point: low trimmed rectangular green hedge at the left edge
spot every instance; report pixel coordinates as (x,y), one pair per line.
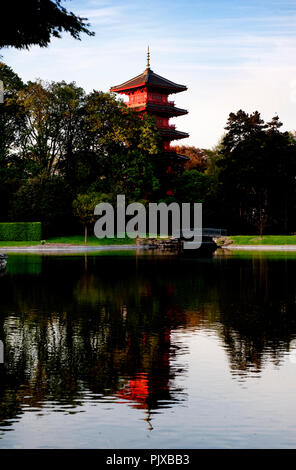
(20,231)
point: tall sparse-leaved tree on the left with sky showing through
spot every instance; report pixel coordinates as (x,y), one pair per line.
(52,122)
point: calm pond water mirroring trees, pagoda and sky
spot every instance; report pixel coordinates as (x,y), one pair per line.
(139,350)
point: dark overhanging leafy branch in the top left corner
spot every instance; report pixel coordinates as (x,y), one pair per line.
(35,22)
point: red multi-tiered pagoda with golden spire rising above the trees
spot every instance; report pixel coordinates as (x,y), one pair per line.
(148,94)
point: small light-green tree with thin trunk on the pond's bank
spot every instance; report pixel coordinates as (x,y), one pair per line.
(83,208)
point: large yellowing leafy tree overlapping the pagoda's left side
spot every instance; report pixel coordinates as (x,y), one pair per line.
(125,146)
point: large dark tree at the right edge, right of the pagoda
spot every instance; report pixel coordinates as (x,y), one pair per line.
(257,170)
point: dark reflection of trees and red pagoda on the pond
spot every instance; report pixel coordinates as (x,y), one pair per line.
(104,327)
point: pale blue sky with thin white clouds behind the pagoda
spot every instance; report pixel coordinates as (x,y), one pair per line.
(231,54)
